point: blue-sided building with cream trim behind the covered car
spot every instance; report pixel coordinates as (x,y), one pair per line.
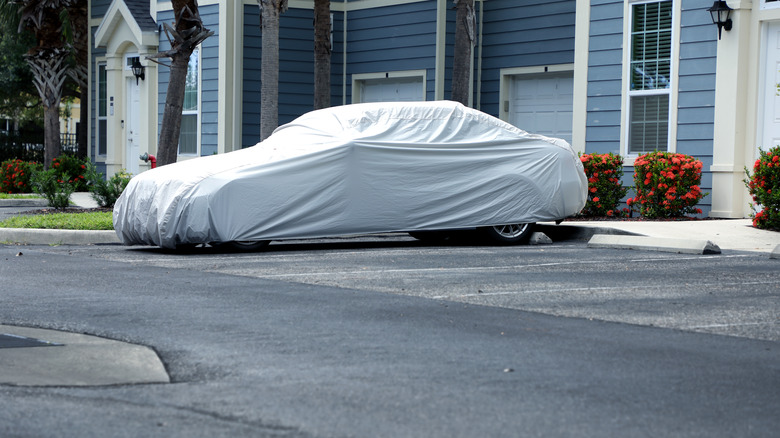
(585,71)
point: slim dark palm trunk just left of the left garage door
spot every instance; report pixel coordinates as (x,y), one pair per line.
(321,54)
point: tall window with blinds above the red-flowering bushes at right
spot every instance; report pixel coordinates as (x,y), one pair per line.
(650,76)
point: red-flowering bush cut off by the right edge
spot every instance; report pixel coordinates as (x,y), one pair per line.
(764,187)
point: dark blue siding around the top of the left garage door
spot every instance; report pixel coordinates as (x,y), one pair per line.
(392,38)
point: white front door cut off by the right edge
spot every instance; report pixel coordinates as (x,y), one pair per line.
(770,90)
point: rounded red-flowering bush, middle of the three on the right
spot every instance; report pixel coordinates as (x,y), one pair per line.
(667,185)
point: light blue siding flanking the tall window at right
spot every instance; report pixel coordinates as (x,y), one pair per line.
(695,83)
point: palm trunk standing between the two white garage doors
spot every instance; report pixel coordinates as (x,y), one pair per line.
(465,38)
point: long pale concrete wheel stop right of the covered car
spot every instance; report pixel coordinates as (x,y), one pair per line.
(681,246)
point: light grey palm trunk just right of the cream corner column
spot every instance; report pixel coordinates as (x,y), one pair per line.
(270,10)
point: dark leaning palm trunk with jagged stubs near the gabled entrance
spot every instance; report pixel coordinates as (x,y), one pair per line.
(184,37)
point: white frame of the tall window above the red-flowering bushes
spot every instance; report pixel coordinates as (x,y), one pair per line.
(629,94)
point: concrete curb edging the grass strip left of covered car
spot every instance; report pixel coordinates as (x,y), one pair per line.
(36,236)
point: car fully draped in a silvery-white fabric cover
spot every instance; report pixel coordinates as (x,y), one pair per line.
(356,169)
